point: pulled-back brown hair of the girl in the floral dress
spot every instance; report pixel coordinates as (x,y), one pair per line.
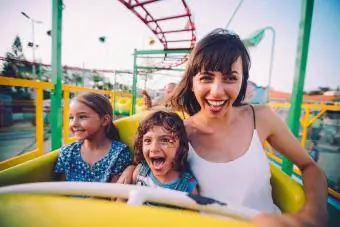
(102,106)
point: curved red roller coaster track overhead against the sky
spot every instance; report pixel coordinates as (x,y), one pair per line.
(174,31)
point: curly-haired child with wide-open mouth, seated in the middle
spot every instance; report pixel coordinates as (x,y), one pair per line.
(161,153)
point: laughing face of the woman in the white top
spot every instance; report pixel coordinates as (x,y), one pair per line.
(216,92)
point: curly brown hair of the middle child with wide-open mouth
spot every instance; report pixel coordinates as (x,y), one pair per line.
(172,123)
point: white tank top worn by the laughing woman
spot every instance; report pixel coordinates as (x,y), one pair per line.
(244,181)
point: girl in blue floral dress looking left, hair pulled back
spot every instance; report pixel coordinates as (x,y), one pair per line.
(98,156)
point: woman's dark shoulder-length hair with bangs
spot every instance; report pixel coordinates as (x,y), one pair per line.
(217,51)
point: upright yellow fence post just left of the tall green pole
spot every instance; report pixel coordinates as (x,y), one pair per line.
(39,120)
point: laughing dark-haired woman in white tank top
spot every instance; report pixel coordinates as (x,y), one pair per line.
(226,137)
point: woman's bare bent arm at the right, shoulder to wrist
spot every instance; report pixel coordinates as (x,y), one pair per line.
(273,129)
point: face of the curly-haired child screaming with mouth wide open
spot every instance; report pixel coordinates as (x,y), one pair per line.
(159,150)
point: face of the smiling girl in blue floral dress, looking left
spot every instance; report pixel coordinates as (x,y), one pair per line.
(85,123)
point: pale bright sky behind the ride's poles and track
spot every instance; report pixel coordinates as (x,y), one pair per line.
(85,20)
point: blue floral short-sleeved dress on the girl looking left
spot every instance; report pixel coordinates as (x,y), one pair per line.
(71,164)
